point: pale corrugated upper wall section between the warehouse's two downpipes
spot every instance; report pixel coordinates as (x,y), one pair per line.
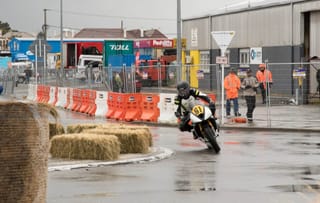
(256,28)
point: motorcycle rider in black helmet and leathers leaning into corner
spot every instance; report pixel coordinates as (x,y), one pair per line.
(184,94)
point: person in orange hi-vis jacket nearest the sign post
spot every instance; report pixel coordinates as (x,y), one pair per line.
(232,85)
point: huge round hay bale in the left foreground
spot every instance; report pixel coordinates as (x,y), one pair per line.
(24,144)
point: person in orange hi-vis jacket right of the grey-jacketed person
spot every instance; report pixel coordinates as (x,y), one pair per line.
(264,77)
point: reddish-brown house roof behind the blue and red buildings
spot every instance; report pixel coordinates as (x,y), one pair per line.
(120,33)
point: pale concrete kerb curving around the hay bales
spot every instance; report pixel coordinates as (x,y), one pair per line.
(156,154)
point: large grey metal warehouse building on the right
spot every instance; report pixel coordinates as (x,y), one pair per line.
(276,32)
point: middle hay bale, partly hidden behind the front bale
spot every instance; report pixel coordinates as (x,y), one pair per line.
(131,141)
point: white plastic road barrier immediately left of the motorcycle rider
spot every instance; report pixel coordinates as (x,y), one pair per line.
(167,109)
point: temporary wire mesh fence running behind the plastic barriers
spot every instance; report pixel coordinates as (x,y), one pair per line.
(294,84)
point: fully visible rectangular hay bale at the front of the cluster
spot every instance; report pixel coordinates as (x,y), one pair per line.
(85,146)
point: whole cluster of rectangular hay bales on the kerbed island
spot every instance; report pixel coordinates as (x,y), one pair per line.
(100,141)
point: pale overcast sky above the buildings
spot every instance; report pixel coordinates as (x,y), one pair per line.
(28,15)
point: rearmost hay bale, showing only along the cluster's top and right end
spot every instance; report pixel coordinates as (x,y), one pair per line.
(130,127)
